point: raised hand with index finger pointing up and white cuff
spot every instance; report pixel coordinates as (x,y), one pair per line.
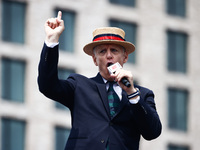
(54,28)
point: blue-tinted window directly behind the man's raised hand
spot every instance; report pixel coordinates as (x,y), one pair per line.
(66,41)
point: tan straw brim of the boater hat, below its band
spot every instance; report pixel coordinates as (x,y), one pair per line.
(129,47)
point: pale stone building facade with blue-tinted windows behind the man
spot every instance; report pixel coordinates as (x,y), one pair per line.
(166,34)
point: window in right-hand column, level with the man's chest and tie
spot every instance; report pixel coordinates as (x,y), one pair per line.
(177,109)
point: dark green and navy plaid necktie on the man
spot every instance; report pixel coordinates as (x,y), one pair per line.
(113,99)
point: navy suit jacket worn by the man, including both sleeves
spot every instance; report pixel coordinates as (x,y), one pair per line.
(92,126)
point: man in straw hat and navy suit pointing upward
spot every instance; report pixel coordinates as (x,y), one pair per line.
(105,113)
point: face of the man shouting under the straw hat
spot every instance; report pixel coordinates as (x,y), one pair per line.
(107,54)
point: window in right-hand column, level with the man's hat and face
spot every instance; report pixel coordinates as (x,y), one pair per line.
(177,51)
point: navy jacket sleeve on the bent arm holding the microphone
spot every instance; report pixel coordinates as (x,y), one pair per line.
(146,116)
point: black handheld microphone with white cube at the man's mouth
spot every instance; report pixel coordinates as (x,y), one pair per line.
(114,67)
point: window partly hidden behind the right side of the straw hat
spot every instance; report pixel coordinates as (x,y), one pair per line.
(130,30)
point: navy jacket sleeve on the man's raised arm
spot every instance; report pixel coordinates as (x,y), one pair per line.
(48,82)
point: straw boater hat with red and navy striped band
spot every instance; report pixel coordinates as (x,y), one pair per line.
(108,35)
